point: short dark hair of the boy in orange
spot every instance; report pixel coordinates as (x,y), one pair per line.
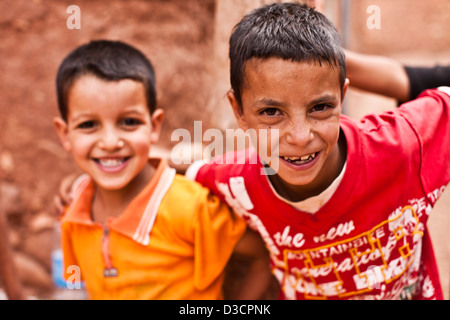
(108,60)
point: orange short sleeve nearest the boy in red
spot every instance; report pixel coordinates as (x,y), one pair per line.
(217,230)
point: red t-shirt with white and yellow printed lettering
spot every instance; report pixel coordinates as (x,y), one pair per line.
(370,240)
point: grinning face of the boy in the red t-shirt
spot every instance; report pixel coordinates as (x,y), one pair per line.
(304,102)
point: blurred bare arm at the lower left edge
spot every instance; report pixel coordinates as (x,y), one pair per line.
(7,270)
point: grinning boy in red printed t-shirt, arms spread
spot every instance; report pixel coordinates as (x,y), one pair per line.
(344,216)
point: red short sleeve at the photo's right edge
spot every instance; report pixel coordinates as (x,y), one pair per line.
(429,116)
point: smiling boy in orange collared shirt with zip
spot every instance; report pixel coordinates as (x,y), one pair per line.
(135,228)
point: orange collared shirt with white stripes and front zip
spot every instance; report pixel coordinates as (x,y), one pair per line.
(173,241)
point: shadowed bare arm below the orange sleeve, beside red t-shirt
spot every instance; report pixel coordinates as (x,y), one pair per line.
(248,275)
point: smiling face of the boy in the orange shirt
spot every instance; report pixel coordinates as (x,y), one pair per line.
(109,130)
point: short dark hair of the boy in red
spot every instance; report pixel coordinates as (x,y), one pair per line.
(289,31)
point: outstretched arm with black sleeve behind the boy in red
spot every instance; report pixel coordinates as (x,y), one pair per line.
(389,77)
